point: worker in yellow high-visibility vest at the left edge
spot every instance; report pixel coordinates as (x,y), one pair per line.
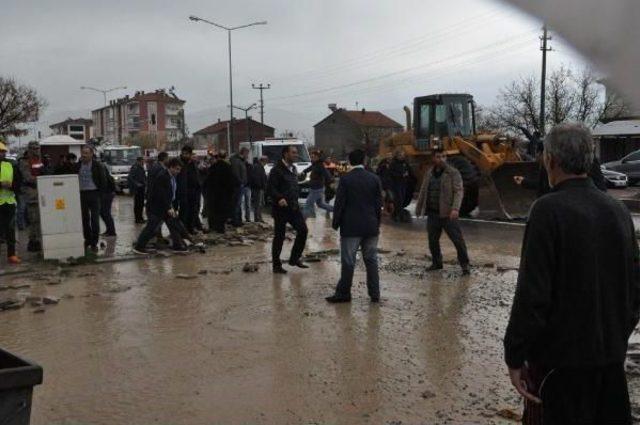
(9,184)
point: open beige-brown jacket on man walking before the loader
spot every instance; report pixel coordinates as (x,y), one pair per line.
(451,192)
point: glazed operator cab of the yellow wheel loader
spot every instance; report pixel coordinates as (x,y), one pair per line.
(442,115)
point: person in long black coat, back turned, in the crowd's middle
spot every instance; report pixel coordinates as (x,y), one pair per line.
(220,191)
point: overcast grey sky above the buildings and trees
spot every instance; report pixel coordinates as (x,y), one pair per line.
(380,54)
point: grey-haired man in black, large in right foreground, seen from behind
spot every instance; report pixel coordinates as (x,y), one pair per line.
(577,300)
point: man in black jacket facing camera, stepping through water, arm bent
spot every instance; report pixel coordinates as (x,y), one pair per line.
(284,192)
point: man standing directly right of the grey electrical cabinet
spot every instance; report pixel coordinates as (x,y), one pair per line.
(92,178)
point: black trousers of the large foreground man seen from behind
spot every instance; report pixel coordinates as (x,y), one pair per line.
(590,395)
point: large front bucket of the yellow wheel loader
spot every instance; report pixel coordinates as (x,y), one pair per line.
(501,198)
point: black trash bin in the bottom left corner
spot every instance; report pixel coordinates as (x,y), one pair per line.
(17,378)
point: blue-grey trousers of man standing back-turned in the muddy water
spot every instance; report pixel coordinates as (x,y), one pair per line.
(348,250)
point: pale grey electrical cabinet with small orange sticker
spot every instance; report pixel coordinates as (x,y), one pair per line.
(60,217)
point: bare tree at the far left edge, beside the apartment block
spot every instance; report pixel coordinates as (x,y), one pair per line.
(18,104)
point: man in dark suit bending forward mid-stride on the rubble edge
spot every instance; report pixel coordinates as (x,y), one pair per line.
(160,208)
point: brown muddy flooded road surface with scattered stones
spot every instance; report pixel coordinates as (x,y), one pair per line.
(195,340)
